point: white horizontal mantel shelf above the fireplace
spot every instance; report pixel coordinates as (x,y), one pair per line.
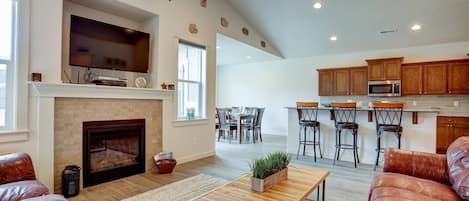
(52,90)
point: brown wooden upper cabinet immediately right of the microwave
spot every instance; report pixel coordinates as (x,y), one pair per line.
(412,81)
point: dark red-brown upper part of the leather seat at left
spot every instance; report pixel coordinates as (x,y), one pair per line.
(16,167)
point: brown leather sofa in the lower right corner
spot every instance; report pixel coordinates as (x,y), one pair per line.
(410,175)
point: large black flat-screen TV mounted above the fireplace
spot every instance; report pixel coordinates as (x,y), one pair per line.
(96,44)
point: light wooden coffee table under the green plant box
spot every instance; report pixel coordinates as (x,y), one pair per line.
(300,183)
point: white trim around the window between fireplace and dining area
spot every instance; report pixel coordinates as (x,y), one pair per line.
(182,121)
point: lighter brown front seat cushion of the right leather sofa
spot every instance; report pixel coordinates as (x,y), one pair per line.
(405,183)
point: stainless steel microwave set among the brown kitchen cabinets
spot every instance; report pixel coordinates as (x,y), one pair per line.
(384,88)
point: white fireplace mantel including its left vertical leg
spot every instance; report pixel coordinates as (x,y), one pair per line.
(42,102)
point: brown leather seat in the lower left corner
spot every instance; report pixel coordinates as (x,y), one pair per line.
(18,181)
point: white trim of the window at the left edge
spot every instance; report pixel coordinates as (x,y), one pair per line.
(20,125)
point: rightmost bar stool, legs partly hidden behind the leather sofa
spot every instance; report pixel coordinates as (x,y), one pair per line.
(388,119)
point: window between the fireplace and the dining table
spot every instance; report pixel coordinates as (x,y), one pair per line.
(191,81)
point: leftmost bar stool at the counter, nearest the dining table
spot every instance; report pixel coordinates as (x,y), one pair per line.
(308,116)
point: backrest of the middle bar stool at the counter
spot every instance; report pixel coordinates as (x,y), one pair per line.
(344,112)
